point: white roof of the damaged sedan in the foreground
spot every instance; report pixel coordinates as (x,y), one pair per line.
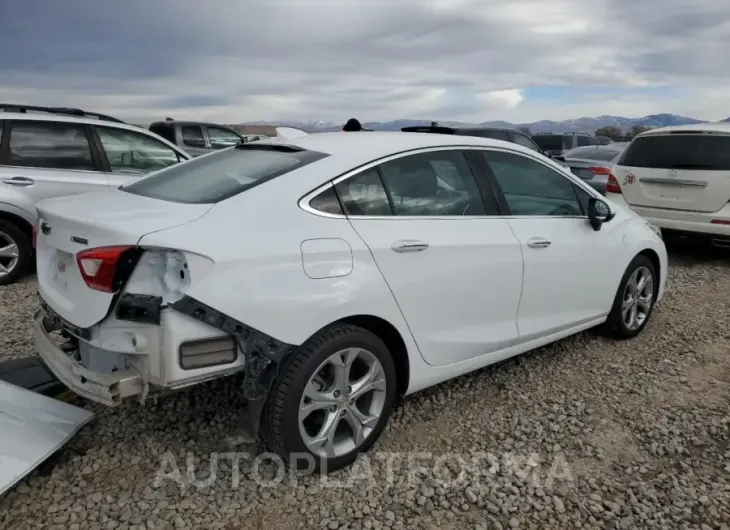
(366,146)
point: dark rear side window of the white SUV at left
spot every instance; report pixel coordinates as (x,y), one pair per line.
(49,145)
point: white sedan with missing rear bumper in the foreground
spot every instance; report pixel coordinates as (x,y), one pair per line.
(337,272)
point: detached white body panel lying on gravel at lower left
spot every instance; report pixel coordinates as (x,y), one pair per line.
(32,428)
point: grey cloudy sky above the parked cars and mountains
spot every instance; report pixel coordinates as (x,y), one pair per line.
(470,60)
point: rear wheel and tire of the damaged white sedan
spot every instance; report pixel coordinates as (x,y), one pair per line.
(332,399)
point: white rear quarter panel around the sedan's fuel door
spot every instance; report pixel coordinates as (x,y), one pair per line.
(255,240)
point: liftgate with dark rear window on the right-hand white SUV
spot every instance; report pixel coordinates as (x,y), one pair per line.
(688,170)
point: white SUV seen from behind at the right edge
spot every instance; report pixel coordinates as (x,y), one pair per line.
(678,178)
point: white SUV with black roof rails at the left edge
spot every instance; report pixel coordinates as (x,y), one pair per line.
(49,152)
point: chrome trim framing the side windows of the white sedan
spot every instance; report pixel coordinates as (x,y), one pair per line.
(304,201)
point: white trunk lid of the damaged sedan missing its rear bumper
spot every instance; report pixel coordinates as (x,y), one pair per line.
(70,225)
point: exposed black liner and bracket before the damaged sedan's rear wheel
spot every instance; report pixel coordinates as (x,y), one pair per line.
(263,353)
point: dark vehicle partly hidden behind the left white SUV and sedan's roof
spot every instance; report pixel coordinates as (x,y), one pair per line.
(197,138)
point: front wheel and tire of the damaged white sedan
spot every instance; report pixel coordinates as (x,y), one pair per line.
(635,299)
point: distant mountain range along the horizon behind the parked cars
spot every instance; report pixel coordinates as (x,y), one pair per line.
(542,126)
